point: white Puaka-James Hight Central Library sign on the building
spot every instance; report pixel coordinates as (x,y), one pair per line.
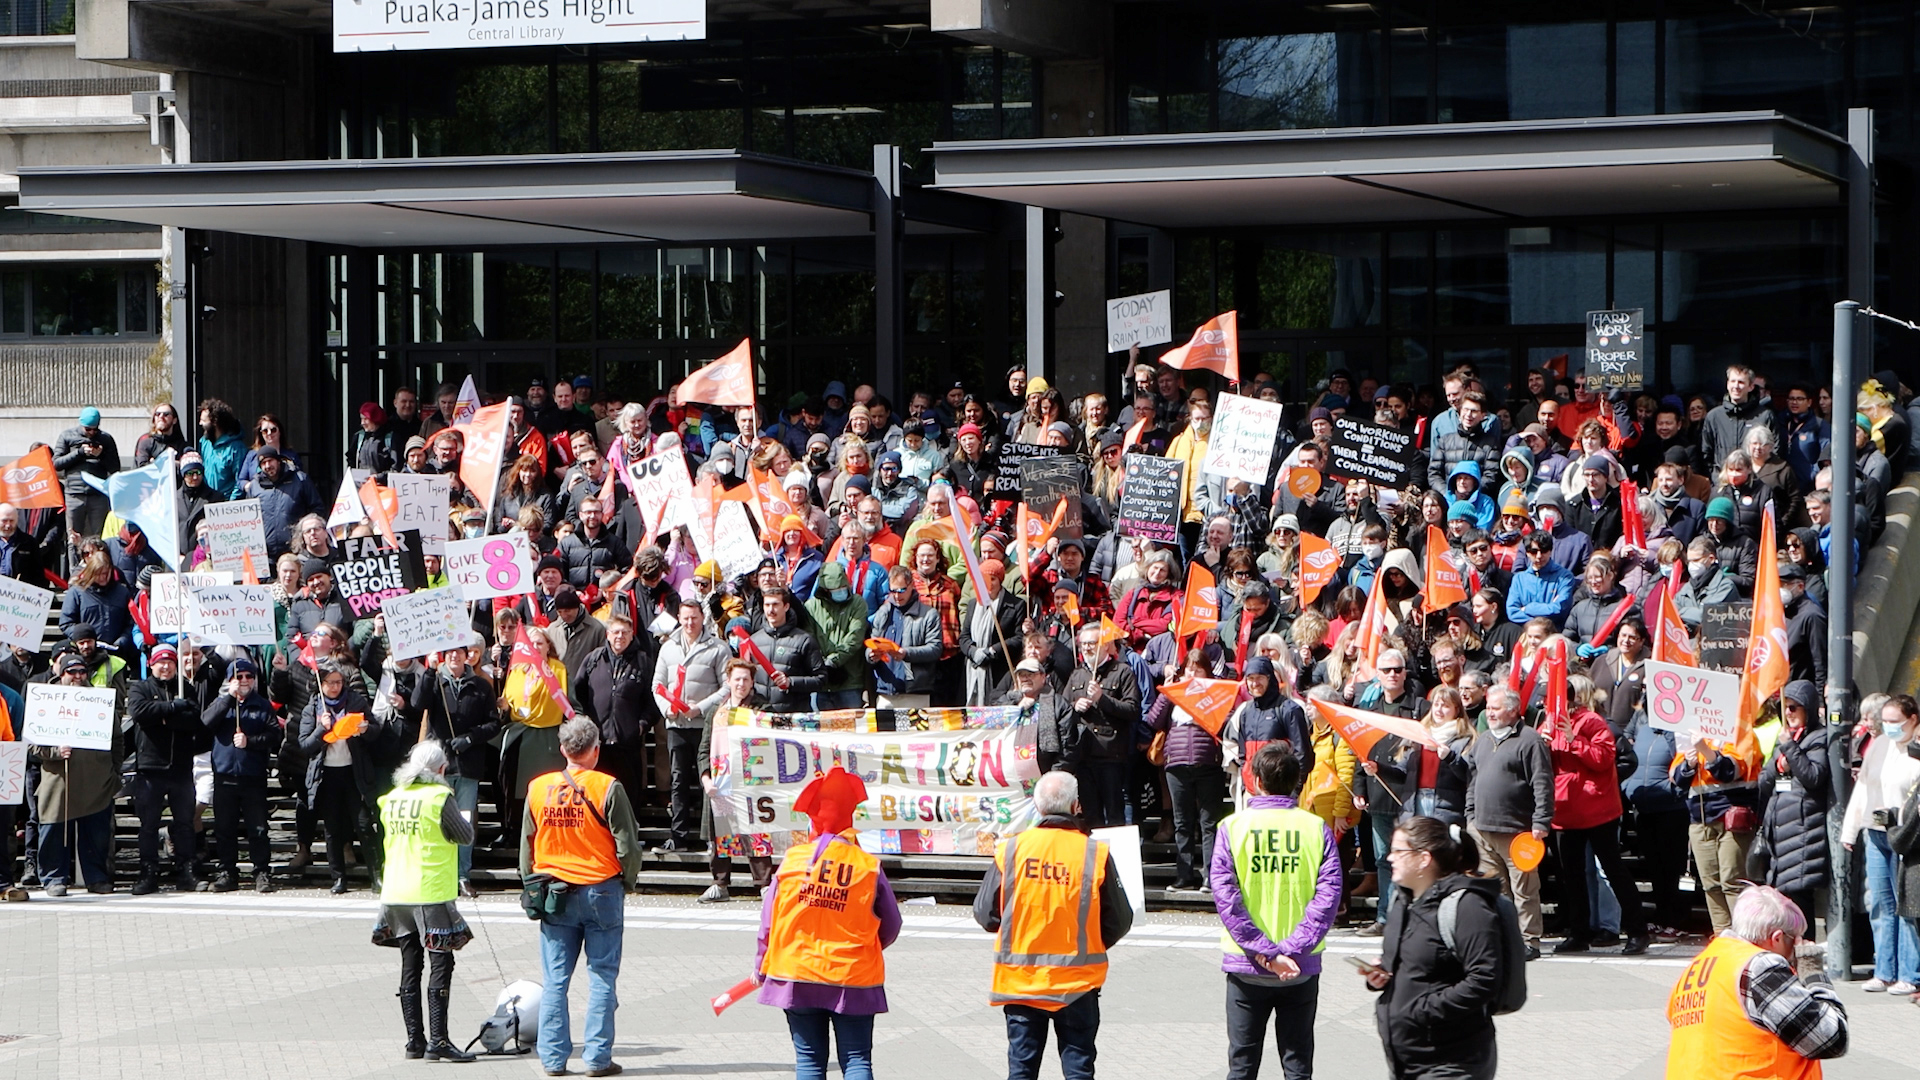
(385,26)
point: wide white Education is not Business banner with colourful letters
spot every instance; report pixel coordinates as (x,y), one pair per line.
(974,783)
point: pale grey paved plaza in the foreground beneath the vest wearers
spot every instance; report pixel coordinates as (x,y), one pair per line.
(287,987)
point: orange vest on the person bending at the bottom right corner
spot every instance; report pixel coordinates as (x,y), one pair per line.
(1714,1037)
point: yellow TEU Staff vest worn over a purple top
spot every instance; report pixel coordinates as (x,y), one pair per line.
(1276,856)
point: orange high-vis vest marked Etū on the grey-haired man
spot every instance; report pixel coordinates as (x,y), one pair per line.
(1049,952)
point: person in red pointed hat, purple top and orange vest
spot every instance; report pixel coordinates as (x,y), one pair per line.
(823,931)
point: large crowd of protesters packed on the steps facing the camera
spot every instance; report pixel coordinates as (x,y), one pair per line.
(650,641)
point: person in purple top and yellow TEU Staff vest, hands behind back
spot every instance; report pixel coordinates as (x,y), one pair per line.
(1276,885)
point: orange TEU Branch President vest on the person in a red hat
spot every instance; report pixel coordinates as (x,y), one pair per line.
(825,929)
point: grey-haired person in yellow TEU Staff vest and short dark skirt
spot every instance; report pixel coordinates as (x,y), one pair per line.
(423,833)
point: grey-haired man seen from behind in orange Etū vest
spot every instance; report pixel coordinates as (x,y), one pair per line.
(1055,902)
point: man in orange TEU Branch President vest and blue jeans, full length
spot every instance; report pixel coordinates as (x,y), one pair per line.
(579,829)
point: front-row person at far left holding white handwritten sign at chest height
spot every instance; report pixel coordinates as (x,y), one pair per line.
(76,800)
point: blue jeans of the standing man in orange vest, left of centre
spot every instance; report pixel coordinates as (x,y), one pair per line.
(594,918)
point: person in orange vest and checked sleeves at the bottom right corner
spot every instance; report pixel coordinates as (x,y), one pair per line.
(1742,1012)
